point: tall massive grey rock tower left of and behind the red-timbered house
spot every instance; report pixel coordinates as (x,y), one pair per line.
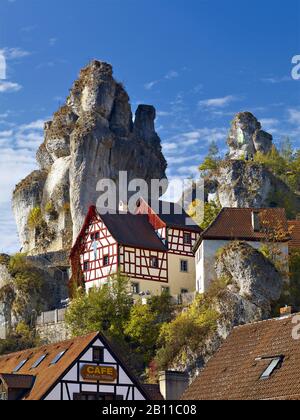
(91,138)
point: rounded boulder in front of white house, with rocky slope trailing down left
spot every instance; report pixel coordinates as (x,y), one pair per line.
(253,286)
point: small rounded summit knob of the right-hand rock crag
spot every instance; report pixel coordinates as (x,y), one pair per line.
(246,137)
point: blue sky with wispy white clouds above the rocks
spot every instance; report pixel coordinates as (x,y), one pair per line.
(197,61)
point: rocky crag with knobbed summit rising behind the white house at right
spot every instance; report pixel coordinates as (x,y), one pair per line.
(241,182)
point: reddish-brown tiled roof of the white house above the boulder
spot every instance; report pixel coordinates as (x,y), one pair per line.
(236,224)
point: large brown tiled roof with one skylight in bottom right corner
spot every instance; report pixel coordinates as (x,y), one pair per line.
(234,373)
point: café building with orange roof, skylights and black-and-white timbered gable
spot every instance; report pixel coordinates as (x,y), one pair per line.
(86,368)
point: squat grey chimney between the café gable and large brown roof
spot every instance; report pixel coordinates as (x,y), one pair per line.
(173,384)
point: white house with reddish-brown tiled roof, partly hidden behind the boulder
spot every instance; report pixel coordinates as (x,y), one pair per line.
(257,227)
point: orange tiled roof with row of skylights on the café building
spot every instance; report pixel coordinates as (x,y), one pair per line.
(45,375)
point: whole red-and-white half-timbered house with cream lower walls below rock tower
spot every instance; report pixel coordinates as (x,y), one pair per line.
(153,248)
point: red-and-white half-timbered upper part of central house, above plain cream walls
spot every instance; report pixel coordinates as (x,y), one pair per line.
(103,251)
